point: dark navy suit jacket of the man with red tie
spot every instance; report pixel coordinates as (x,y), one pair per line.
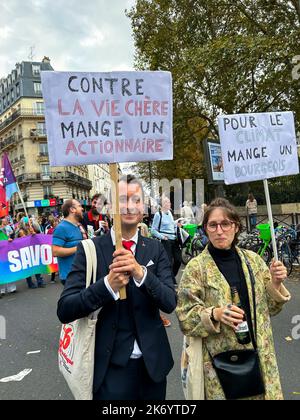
(157,293)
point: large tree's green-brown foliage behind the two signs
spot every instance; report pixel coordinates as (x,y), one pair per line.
(226,56)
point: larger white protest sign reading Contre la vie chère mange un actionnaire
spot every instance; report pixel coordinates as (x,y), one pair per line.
(108,117)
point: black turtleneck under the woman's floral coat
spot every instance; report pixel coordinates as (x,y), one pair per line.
(230,265)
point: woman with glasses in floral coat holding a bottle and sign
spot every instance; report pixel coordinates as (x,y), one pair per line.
(206,308)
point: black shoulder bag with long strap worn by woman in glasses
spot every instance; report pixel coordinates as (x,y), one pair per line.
(239,370)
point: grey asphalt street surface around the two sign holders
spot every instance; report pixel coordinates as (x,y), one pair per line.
(32,325)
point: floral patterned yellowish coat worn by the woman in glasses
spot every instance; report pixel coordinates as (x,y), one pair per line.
(203,287)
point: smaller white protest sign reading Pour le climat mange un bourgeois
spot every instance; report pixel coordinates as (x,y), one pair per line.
(258,146)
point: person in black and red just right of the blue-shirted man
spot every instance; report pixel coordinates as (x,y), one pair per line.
(94,218)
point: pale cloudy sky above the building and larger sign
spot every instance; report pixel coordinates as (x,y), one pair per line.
(77,35)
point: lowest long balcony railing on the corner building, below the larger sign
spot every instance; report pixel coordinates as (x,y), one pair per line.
(55,176)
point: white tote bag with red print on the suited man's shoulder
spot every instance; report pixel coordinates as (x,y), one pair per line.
(77,340)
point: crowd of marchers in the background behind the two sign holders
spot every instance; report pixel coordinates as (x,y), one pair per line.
(74,225)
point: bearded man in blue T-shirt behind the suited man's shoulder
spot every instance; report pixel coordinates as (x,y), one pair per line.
(66,237)
